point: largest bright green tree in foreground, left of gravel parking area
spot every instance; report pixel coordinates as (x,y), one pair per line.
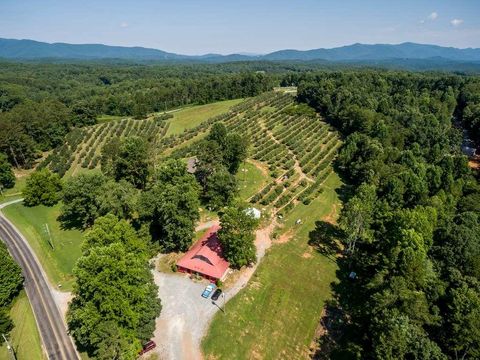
(114,295)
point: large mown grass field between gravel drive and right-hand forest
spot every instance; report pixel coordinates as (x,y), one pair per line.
(276,315)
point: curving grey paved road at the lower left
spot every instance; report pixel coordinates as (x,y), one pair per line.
(57,343)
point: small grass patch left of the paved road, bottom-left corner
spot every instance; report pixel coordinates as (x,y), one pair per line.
(24,337)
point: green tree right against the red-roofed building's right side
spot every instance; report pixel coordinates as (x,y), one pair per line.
(237,236)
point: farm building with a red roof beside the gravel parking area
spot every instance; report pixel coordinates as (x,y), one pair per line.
(205,258)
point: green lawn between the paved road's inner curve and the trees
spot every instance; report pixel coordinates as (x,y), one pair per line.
(59,261)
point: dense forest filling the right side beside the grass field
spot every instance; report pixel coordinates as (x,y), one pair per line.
(410,228)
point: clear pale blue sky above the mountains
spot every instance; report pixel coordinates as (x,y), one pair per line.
(205,26)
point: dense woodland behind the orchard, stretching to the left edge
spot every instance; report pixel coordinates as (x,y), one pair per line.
(40,103)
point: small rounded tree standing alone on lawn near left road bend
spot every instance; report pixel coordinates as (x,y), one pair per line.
(42,188)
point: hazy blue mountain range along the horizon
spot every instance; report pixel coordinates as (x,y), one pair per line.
(34,50)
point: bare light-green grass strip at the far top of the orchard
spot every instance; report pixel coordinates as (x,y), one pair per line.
(194,115)
